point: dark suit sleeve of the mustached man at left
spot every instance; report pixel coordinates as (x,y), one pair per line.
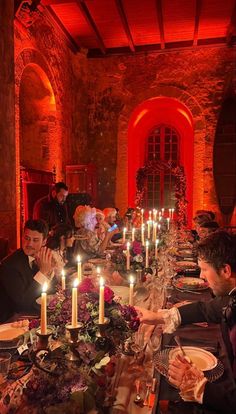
(20,287)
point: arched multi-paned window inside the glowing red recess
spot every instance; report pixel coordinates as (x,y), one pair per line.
(162,144)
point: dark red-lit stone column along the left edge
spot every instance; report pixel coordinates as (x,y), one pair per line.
(7,124)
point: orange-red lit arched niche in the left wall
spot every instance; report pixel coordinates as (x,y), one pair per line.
(39,138)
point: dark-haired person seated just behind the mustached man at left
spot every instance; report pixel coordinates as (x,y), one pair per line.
(61,241)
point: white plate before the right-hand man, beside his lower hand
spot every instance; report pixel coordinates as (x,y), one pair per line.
(203,359)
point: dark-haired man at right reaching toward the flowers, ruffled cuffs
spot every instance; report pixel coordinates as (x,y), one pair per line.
(217,261)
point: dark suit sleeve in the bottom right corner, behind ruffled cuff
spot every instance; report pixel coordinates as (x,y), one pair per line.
(220,397)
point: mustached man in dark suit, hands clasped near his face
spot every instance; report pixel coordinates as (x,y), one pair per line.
(23,273)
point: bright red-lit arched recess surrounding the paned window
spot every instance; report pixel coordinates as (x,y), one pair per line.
(168,113)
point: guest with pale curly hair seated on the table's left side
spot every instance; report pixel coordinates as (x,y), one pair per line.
(85,221)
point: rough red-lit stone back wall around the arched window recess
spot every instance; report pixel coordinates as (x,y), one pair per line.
(198,78)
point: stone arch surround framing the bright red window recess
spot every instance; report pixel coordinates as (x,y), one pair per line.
(199,130)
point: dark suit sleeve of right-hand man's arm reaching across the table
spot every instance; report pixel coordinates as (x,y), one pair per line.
(203,311)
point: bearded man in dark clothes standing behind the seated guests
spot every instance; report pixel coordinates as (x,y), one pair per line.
(53,208)
